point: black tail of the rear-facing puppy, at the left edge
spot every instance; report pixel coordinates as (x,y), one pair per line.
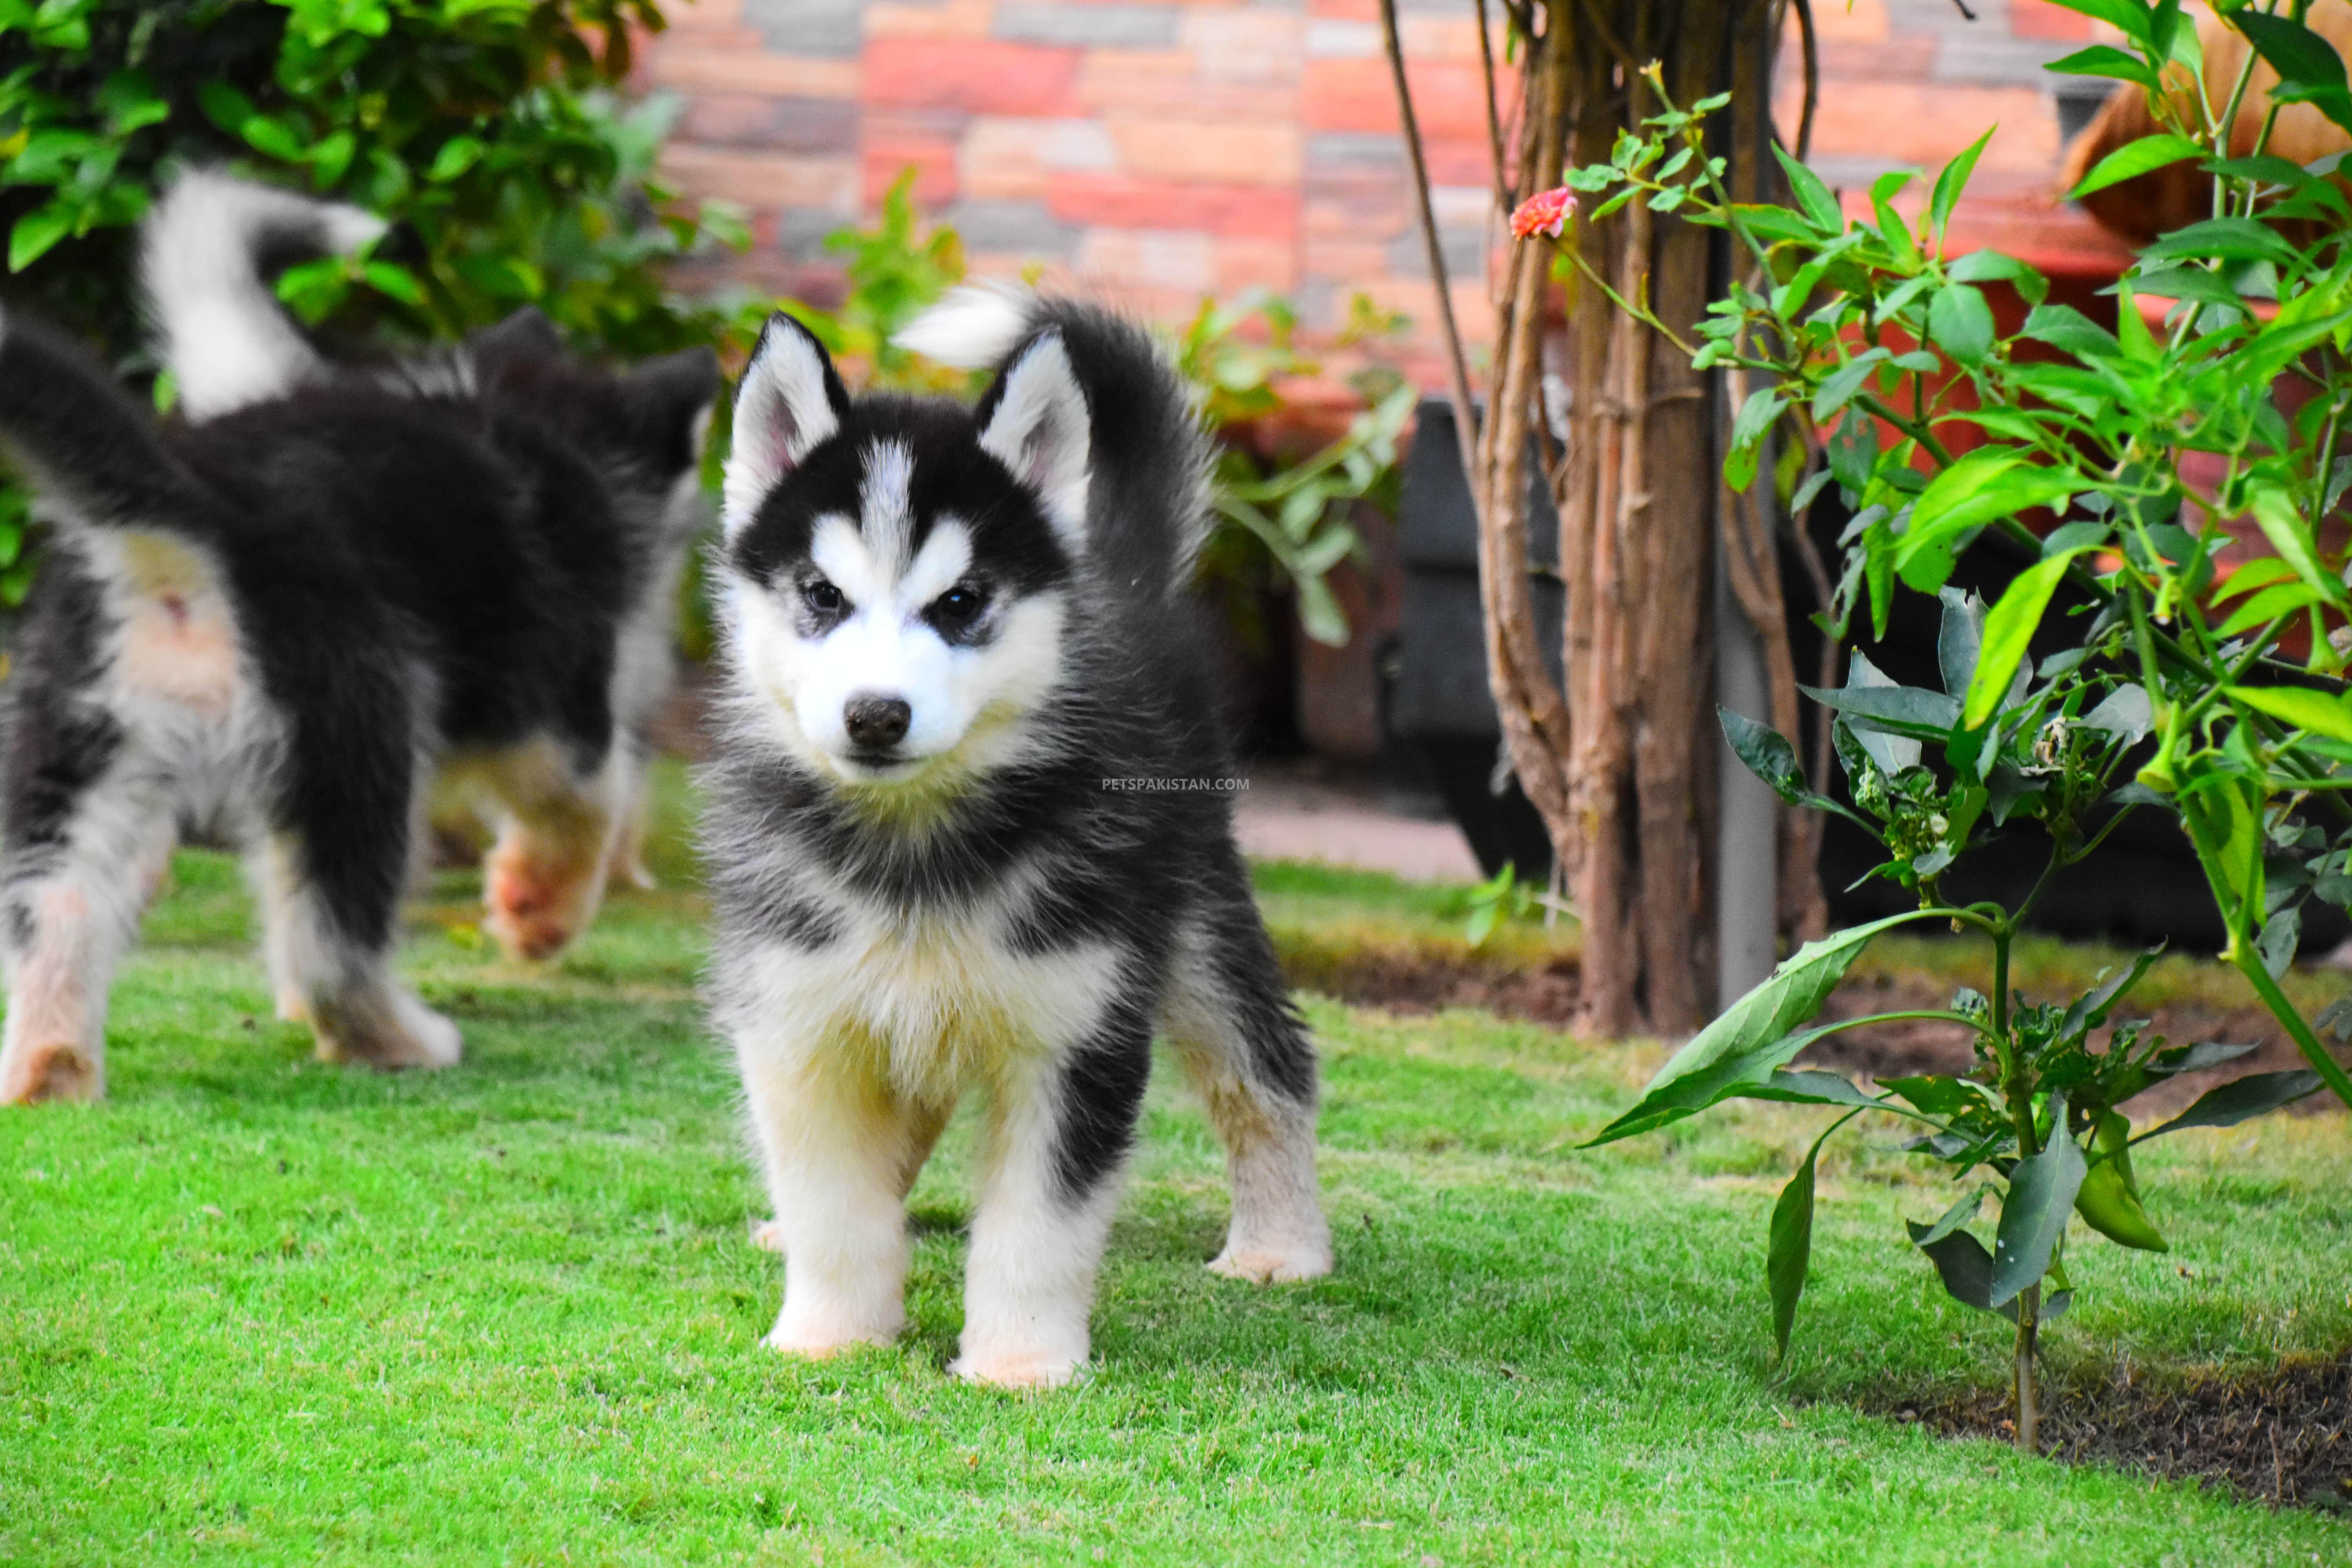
(93,455)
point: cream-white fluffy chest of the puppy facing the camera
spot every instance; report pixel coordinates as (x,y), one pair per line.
(933,1000)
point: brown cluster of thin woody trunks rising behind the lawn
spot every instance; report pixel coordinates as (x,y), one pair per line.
(1619,756)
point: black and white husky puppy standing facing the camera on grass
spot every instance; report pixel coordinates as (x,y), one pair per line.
(958,831)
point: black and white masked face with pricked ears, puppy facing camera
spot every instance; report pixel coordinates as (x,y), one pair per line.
(900,570)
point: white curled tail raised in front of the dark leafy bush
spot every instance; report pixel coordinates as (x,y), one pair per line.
(203,255)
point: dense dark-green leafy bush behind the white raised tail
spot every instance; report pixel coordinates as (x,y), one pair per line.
(486,130)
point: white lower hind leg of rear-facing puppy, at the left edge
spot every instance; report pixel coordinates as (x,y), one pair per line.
(76,885)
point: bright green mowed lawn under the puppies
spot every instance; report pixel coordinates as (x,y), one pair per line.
(265,1311)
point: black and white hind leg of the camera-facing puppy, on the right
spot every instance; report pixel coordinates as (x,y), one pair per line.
(1248,1054)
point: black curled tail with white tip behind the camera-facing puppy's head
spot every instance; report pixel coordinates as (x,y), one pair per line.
(1149,488)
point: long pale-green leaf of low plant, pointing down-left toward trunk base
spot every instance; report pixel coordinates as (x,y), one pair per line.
(1753,1036)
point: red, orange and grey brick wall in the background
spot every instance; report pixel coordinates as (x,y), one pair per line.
(1158,152)
